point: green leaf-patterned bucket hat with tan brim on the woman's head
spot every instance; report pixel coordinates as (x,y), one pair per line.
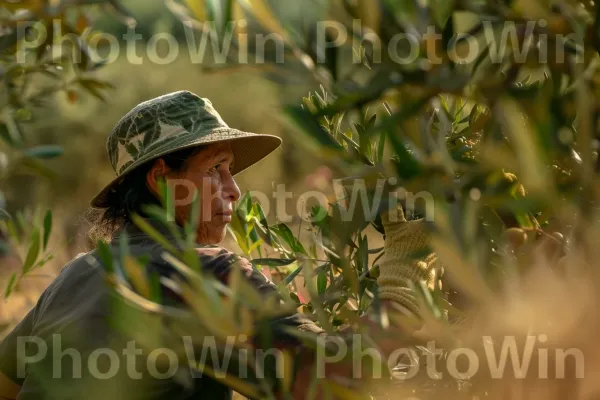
(173,122)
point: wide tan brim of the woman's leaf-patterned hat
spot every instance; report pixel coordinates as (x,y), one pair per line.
(248,149)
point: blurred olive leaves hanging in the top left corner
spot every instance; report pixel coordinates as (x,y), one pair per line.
(29,54)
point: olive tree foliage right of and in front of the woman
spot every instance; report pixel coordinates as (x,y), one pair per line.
(506,146)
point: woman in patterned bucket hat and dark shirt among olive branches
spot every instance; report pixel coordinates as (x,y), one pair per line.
(178,137)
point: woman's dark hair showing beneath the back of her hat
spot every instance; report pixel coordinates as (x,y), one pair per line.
(130,196)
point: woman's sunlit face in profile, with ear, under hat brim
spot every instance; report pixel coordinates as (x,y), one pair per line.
(209,171)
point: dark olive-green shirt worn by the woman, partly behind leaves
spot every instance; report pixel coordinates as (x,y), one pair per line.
(67,347)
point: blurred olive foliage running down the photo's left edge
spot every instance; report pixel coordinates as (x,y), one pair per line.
(31,75)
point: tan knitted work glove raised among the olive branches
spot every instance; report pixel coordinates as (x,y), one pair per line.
(403,240)
